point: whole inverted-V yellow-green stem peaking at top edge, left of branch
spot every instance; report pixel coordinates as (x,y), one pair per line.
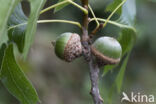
(63,2)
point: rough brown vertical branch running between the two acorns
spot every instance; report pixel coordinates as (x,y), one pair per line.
(94,70)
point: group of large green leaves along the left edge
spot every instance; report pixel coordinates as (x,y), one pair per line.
(11,75)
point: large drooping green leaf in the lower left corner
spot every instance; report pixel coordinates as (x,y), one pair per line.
(14,79)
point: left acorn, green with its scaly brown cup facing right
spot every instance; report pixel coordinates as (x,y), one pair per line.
(68,46)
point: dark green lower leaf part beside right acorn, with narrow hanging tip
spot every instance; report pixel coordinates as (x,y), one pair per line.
(127,39)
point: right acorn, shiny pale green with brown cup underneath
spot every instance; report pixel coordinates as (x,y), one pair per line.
(107,51)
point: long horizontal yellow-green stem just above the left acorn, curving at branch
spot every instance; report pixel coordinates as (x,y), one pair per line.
(50,21)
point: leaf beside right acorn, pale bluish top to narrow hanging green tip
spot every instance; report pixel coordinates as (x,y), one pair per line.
(127,37)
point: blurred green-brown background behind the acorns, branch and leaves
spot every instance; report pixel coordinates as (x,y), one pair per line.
(58,82)
